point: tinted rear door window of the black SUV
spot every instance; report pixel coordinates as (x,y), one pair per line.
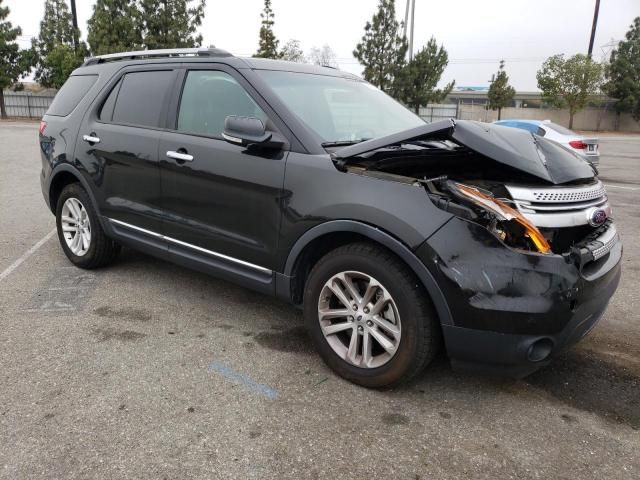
(142,98)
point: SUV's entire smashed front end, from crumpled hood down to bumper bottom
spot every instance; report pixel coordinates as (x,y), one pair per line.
(530,257)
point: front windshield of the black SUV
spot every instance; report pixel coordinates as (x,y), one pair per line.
(340,109)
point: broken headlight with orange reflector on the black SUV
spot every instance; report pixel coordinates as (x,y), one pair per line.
(505,222)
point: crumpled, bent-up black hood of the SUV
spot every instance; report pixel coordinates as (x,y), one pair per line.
(514,147)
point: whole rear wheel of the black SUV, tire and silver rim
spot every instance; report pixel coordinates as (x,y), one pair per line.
(79,230)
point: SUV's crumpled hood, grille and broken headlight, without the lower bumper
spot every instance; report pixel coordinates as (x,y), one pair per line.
(531,193)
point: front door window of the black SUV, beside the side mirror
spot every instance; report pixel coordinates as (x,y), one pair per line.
(208,97)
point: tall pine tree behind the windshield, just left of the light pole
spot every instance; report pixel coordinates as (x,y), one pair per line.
(382,50)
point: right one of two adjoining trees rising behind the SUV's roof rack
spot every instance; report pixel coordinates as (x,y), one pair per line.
(171,23)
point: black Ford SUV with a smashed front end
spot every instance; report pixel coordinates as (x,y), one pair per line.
(307,183)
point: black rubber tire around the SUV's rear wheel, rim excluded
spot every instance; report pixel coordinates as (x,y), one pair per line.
(102,250)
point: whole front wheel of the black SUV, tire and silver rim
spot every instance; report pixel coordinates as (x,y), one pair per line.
(369,317)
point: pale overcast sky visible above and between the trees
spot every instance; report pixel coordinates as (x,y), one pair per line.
(475,33)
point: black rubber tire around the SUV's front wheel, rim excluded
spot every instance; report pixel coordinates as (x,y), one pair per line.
(420,330)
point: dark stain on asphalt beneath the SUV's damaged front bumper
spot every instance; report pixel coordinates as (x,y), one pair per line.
(588,383)
